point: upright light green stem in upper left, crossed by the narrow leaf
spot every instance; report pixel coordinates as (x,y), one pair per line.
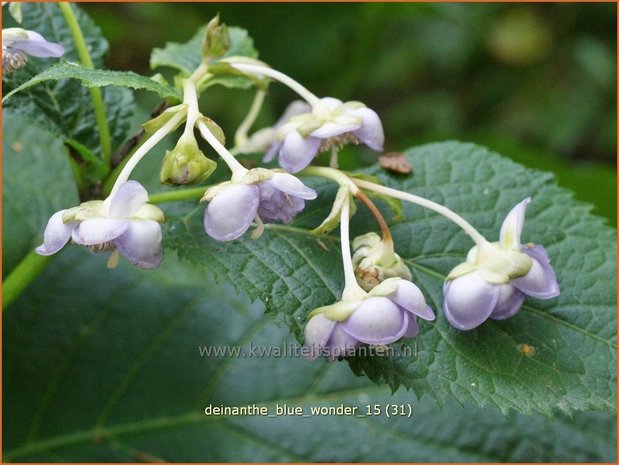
(95,93)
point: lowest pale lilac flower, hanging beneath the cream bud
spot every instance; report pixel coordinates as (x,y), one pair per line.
(388,313)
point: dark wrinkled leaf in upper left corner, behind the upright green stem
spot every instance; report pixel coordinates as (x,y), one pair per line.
(65,107)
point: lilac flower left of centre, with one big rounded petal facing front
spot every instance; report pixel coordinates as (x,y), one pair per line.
(235,206)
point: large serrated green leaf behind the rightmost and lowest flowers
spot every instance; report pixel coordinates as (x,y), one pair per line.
(573,335)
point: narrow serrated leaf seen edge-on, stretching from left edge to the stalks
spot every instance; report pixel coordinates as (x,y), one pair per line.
(97,78)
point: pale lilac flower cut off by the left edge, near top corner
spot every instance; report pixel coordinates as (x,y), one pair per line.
(18,43)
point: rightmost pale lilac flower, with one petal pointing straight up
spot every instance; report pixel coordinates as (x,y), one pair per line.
(494,287)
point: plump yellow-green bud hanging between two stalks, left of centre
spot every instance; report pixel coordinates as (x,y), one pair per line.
(185,164)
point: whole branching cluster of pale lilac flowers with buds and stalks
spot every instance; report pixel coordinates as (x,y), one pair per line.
(379,304)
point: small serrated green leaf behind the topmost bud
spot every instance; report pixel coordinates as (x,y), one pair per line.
(186,57)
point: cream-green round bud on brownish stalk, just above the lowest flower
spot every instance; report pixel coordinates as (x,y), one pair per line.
(375,261)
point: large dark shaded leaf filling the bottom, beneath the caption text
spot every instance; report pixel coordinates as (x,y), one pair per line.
(104,365)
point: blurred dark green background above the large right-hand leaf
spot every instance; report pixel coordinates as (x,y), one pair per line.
(535,82)
